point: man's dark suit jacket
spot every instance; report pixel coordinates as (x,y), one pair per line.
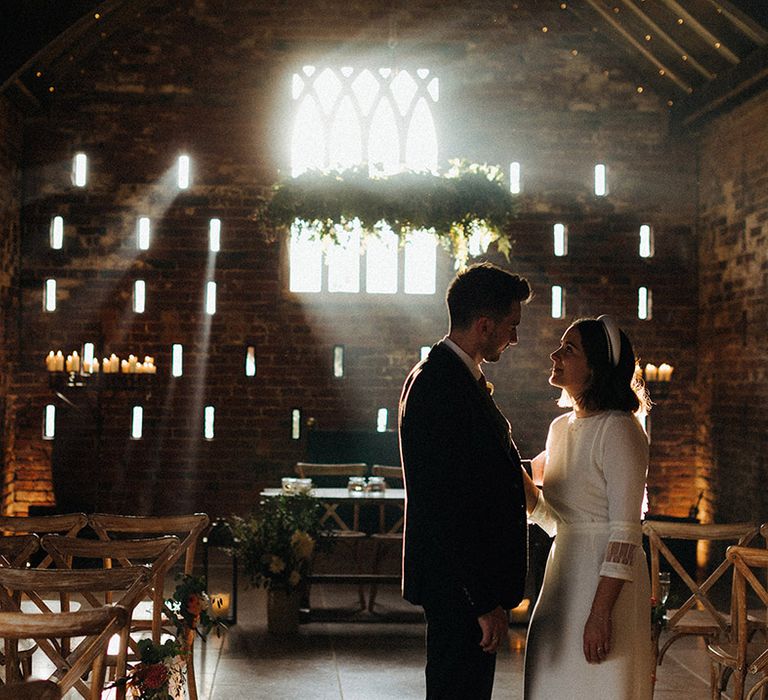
(465,509)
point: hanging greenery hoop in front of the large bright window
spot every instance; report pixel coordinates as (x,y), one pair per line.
(467,209)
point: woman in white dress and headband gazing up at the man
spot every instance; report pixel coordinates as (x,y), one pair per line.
(589,635)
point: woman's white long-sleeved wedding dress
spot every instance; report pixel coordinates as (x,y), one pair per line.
(593,488)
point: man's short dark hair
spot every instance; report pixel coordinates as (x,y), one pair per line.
(484,290)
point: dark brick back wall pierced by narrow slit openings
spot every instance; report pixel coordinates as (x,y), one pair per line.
(214,80)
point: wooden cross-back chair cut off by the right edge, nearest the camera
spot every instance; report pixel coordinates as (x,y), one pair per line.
(742,652)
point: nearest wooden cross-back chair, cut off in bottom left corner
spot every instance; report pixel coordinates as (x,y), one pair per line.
(96,627)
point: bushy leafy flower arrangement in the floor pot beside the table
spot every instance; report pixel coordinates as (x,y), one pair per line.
(277,541)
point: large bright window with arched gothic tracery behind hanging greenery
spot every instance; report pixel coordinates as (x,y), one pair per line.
(349,117)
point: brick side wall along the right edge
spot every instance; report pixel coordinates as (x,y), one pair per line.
(732,378)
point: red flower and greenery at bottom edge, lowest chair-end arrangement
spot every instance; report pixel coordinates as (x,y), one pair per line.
(160,673)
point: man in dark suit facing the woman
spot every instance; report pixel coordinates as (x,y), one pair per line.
(465,545)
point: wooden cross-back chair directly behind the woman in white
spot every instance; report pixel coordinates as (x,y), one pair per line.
(697,615)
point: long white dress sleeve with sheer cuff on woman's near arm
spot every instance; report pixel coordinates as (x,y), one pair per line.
(624,462)
